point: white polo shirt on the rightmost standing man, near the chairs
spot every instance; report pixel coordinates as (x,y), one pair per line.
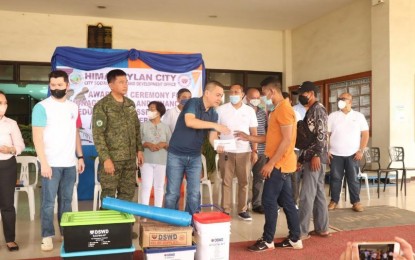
(345,132)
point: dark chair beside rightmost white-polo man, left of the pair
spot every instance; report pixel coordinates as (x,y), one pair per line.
(372,166)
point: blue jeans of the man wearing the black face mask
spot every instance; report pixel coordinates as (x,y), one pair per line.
(61,184)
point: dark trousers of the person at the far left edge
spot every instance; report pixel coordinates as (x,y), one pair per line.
(8,176)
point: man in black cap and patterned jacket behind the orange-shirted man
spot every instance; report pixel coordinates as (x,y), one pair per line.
(313,159)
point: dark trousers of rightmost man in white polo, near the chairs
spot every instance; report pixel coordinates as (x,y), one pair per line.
(341,165)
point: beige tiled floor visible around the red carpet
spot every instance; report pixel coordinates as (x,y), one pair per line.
(28,232)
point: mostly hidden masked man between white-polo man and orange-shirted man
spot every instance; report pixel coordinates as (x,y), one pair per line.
(253,98)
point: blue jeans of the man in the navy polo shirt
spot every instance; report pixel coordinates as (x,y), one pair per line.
(177,167)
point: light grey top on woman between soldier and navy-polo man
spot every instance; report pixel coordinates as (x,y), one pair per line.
(155,134)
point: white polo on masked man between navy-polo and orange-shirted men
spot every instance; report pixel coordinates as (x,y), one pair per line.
(240,119)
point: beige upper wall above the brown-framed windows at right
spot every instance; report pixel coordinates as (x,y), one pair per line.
(334,45)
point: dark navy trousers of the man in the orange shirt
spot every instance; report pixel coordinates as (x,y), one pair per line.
(277,191)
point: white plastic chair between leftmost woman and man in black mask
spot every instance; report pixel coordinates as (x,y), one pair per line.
(28,187)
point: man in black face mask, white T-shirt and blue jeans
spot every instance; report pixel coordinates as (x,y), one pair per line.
(56,123)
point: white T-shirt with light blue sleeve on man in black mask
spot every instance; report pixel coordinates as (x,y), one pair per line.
(60,121)
